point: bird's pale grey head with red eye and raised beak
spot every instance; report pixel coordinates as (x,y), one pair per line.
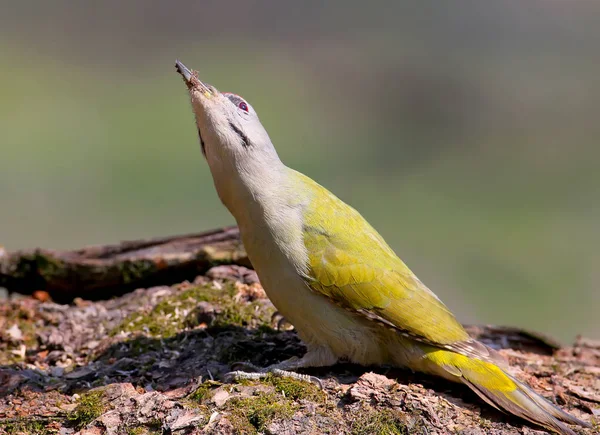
(228,126)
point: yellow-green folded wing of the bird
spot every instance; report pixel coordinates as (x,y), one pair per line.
(350,263)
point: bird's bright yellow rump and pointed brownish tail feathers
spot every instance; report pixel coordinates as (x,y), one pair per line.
(501,390)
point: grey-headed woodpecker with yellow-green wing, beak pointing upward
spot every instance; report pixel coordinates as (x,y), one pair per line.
(330,273)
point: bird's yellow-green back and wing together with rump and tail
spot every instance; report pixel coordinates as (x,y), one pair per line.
(350,263)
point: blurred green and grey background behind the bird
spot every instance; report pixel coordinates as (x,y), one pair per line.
(466,132)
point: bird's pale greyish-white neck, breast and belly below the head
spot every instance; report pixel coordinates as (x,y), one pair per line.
(268,209)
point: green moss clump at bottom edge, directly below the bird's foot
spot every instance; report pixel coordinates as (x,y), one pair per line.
(252,415)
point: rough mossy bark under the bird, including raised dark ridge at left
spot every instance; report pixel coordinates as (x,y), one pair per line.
(154,360)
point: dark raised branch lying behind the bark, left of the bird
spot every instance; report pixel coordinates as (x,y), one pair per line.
(104,271)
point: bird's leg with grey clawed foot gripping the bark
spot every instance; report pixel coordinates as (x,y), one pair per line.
(314,357)
